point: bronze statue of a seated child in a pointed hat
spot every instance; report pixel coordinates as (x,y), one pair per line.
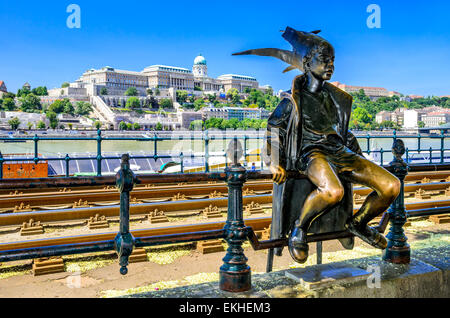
(308,132)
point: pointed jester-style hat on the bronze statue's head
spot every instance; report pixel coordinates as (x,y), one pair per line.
(302,43)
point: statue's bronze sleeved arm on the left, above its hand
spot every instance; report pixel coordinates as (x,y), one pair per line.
(274,153)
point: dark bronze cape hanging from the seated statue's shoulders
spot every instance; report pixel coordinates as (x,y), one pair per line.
(288,197)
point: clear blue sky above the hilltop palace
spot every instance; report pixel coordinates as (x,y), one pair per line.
(410,53)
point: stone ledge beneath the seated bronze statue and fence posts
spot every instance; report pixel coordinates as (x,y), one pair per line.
(426,276)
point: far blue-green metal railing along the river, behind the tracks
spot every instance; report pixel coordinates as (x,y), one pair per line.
(206,139)
